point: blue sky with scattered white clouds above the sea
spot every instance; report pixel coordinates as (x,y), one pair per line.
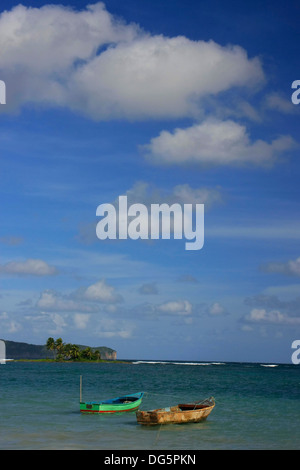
(185,102)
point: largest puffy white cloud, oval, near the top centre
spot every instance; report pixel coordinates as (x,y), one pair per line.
(155,76)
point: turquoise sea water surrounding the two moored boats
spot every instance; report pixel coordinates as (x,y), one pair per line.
(257,407)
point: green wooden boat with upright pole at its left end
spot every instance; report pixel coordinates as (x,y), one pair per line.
(113,405)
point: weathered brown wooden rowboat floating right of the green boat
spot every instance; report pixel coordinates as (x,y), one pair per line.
(181,413)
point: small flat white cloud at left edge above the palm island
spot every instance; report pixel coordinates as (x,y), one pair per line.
(32,267)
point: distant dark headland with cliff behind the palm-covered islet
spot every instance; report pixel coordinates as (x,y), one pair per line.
(16,350)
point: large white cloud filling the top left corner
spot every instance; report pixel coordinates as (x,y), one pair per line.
(66,35)
